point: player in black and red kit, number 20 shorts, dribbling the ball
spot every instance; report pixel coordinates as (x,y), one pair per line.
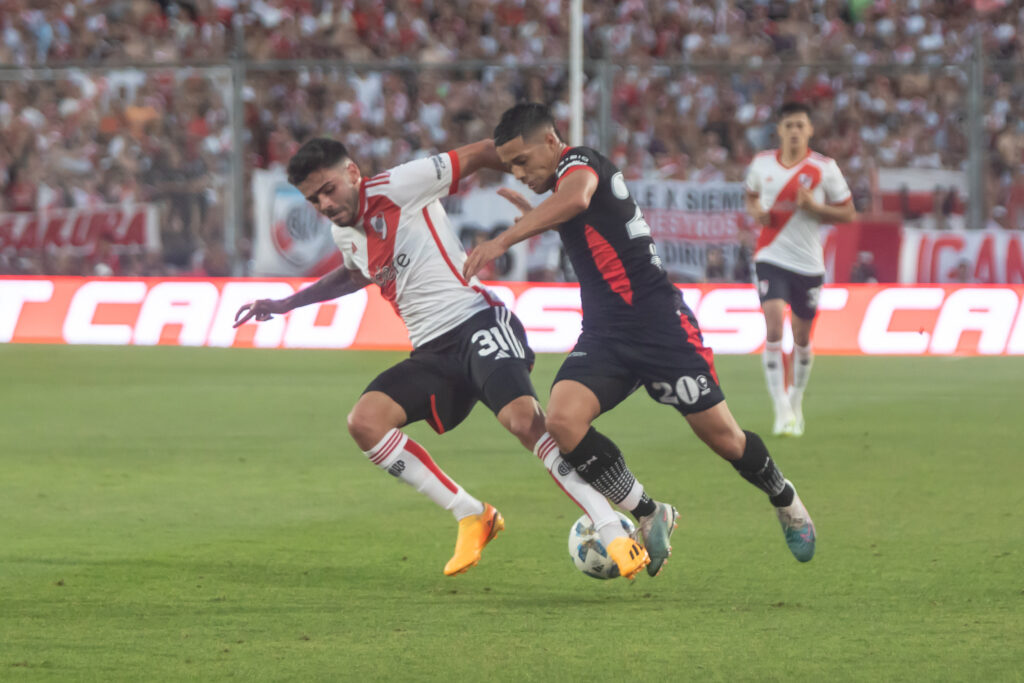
(636,329)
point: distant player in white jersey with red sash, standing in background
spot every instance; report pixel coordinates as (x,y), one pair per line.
(791,192)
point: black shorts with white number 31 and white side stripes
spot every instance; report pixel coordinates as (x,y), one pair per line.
(485,359)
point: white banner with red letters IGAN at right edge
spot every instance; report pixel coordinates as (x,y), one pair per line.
(963,257)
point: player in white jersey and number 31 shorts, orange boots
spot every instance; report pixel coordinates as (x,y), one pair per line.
(394,232)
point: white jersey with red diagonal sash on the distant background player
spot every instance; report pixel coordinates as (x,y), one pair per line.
(791,240)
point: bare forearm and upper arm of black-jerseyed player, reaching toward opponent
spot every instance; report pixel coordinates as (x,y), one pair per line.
(573,198)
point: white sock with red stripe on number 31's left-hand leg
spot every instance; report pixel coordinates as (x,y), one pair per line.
(402,457)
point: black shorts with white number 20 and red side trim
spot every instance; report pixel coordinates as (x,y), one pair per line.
(670,361)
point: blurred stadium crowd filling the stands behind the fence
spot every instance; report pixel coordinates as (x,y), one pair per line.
(695,84)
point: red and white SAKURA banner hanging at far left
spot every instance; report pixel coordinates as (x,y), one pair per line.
(130,226)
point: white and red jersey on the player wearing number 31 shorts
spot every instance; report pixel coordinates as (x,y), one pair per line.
(404,242)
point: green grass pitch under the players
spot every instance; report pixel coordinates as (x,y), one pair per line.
(198,515)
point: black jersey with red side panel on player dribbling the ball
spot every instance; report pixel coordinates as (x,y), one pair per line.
(622,283)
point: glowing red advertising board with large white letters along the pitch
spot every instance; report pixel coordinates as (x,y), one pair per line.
(941,320)
